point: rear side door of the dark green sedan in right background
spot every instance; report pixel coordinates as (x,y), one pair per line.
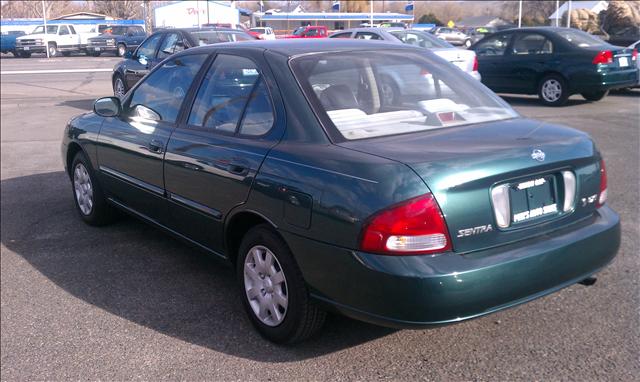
(530,55)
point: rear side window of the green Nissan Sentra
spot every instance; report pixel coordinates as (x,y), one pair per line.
(232,87)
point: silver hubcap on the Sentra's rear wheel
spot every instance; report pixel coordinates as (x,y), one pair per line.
(265,286)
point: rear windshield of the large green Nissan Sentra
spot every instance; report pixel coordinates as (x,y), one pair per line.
(366,94)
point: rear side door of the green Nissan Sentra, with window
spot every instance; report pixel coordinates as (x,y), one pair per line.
(213,158)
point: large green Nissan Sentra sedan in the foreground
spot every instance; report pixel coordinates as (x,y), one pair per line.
(288,161)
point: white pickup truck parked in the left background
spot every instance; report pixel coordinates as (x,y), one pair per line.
(59,39)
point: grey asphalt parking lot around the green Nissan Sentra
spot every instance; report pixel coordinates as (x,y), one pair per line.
(128,302)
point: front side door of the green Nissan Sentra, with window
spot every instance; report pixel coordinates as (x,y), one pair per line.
(131,146)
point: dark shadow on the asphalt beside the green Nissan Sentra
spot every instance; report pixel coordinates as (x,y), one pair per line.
(140,274)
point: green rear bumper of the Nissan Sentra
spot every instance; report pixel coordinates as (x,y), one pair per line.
(419,291)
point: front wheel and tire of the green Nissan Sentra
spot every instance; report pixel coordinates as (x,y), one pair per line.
(91,204)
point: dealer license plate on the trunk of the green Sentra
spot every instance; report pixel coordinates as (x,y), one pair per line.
(533,200)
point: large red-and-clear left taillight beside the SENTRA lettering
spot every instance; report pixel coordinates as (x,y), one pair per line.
(410,228)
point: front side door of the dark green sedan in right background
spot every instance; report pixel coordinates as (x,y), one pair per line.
(491,61)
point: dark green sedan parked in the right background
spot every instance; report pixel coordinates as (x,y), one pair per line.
(554,63)
